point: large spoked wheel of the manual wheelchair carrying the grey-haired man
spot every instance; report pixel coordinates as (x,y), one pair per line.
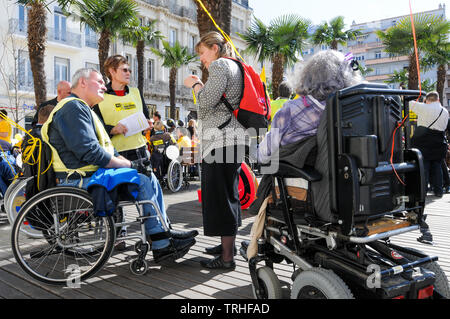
(75,243)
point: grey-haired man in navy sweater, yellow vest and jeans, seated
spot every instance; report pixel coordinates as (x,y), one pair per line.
(80,145)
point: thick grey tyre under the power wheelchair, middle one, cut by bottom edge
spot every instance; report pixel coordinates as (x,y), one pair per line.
(319,283)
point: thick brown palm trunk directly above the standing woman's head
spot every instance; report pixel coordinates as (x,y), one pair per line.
(220,10)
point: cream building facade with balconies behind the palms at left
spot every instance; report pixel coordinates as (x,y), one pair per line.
(71,46)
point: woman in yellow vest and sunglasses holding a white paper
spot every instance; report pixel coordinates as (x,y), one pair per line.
(120,102)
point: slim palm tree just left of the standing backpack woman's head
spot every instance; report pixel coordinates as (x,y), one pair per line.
(174,57)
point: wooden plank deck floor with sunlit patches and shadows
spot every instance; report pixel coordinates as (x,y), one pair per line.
(185,278)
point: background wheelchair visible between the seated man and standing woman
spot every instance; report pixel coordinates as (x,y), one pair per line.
(166,167)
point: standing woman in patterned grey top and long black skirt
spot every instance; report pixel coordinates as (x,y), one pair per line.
(222,149)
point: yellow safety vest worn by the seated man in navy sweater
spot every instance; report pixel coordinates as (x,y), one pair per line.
(103,138)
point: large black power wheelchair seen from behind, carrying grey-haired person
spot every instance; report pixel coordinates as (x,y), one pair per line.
(365,187)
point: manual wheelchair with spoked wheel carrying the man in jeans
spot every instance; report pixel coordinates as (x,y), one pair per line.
(69,243)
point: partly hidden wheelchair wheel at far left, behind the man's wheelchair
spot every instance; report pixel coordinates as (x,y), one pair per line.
(14,199)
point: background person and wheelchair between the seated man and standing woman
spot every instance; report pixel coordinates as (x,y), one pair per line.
(166,168)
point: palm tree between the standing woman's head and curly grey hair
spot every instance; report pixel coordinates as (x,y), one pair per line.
(280,42)
